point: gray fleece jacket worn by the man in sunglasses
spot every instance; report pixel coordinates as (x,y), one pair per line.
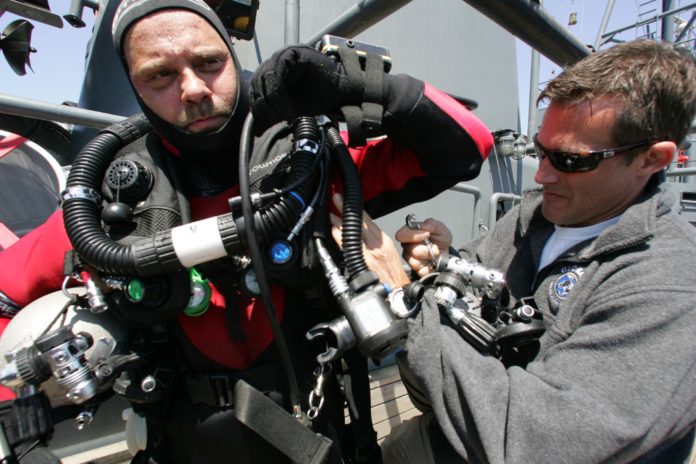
(615,378)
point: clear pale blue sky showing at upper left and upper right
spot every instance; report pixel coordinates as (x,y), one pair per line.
(58,70)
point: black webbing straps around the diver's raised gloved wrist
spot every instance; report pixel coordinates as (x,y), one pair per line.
(366,86)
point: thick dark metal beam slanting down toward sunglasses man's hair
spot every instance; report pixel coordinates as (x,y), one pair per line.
(531,23)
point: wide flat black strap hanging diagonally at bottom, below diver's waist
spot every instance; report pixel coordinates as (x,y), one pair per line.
(271,422)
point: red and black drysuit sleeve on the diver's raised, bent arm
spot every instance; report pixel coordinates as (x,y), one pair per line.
(432,143)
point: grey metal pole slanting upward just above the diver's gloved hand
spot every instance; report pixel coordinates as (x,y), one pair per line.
(358,18)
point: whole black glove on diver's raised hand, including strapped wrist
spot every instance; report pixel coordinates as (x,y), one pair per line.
(301,81)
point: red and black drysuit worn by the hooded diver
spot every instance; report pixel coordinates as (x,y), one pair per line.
(432,143)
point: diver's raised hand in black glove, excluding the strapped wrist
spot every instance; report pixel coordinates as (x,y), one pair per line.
(299,81)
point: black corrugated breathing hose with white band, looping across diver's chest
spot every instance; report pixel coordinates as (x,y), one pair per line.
(159,254)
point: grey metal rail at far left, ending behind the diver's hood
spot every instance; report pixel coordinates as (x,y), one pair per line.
(59,113)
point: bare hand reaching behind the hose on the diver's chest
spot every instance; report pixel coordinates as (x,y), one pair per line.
(380,253)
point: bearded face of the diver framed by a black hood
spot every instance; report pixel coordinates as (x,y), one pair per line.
(182,70)
